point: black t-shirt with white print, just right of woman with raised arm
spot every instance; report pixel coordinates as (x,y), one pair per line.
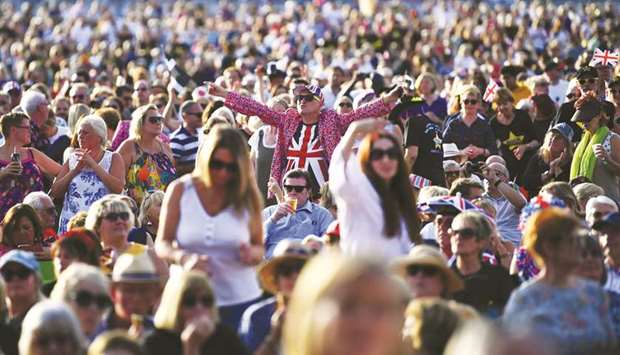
(426,135)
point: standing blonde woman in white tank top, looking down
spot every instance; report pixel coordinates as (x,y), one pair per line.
(211,221)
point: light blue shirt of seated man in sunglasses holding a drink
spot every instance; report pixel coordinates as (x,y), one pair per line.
(309,219)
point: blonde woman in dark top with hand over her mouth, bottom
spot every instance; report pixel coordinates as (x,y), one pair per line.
(187,321)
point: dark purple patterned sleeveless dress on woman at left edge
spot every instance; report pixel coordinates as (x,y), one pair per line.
(13,189)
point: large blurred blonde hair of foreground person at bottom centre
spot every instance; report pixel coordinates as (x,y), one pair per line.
(303,331)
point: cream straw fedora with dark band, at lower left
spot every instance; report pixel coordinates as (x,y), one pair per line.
(137,268)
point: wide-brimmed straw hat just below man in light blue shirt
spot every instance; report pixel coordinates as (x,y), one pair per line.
(285,250)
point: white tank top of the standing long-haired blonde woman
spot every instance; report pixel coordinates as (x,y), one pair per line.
(219,238)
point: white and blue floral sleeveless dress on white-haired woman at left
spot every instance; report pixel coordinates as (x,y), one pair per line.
(83,190)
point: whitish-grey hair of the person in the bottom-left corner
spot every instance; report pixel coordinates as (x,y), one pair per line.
(50,317)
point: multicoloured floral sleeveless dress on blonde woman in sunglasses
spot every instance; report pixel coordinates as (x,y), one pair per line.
(147,173)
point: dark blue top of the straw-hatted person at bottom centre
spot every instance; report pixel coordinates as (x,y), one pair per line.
(256,323)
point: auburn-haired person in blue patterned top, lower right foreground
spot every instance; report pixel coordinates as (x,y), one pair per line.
(568,311)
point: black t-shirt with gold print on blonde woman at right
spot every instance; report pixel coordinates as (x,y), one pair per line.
(519,131)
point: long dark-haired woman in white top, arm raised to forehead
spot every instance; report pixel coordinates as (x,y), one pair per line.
(376,204)
